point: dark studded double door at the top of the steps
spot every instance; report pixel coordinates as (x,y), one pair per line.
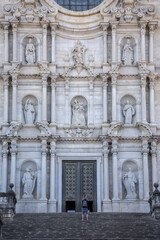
(79,180)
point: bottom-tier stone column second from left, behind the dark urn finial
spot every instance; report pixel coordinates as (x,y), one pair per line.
(13,152)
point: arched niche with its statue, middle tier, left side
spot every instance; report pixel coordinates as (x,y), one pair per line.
(30,109)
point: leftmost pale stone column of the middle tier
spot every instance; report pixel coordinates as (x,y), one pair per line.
(6,84)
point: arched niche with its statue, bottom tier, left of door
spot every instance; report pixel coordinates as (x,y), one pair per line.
(28,173)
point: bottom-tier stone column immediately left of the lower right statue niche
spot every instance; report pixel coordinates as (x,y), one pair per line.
(115,168)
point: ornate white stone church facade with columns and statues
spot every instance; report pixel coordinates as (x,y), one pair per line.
(80,86)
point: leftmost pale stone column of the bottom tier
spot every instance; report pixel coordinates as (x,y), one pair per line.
(4,166)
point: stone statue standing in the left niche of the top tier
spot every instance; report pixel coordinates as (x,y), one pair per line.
(30,52)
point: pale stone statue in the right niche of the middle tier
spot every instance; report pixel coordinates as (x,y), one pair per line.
(128,112)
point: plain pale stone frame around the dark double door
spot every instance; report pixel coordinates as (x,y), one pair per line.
(83,157)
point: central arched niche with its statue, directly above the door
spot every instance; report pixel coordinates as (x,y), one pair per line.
(79,112)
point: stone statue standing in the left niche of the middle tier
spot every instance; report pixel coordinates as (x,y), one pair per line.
(29,112)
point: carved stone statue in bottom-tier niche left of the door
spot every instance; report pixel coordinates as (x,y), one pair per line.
(28,182)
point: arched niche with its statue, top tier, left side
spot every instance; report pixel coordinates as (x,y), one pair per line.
(29,50)
